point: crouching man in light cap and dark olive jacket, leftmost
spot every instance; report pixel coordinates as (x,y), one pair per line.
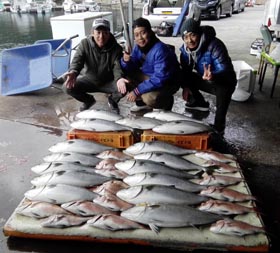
(98,56)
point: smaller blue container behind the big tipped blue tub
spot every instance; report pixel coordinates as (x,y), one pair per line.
(60,56)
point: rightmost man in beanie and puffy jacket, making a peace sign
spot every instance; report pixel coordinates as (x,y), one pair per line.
(206,66)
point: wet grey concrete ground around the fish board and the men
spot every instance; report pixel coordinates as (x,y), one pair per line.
(31,123)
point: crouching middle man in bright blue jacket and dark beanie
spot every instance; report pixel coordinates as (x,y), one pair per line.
(152,70)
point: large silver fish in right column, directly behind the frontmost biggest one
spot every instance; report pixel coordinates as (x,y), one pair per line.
(158,194)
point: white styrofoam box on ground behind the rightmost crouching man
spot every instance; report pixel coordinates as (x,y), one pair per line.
(246,78)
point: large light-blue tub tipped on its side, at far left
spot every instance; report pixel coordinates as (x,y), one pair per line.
(25,69)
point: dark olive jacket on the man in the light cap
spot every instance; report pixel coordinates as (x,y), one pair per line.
(100,65)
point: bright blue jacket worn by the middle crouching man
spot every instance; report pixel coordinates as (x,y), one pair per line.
(160,64)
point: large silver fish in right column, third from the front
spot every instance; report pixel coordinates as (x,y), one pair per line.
(162,179)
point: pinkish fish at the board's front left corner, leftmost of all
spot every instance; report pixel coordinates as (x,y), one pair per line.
(39,210)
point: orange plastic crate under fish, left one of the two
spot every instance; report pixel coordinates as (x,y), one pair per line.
(114,139)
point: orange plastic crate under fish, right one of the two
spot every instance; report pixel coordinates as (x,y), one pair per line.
(195,141)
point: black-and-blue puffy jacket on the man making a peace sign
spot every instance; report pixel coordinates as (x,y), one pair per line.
(211,50)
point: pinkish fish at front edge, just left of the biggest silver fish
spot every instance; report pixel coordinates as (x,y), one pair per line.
(113,222)
